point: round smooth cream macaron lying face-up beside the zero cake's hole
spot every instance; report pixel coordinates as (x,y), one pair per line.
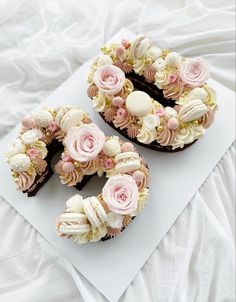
(138,103)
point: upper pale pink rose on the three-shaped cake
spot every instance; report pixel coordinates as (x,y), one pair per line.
(84,142)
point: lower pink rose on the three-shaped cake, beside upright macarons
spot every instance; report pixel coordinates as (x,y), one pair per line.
(121,194)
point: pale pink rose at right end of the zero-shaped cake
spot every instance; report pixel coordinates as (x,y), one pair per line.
(194,72)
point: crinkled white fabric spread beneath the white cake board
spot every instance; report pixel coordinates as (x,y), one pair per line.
(41,44)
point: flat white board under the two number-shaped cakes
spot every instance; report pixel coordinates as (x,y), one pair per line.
(110,266)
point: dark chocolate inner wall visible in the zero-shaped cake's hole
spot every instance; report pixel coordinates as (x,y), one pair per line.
(140,83)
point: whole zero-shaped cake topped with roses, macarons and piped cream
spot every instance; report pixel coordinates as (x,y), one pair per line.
(153,96)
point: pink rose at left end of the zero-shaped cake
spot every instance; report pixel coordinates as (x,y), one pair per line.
(109,79)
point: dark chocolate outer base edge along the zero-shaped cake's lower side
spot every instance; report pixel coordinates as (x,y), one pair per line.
(153,145)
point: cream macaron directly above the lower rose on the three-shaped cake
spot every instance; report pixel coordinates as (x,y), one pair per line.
(127,162)
